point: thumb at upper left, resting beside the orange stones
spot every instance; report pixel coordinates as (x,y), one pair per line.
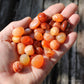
(6,33)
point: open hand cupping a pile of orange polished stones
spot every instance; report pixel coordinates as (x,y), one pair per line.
(32,75)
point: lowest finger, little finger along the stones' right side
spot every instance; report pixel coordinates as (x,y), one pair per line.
(71,38)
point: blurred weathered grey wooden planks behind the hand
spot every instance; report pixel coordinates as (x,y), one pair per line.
(70,69)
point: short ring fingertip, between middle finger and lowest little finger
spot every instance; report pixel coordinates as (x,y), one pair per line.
(74,20)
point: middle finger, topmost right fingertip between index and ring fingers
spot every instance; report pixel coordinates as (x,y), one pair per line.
(69,10)
